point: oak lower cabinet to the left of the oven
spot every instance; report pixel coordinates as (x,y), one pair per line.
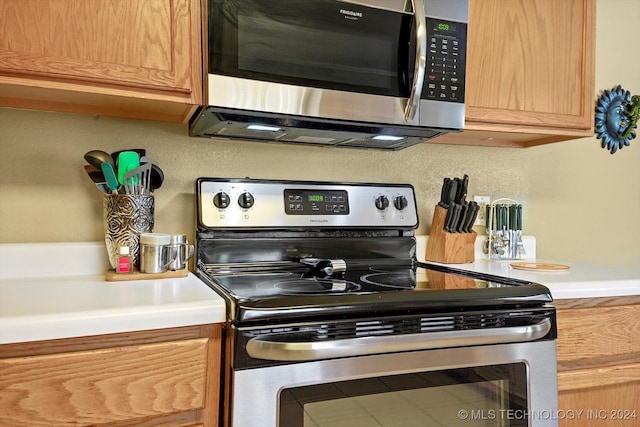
(152,378)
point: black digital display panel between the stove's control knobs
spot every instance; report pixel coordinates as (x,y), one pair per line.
(316,202)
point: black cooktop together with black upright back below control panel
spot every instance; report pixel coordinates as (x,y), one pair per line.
(274,280)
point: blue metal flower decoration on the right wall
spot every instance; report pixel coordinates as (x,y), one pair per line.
(616,118)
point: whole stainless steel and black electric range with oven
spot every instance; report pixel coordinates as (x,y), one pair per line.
(332,321)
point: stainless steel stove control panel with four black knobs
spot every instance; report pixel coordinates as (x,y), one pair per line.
(247,203)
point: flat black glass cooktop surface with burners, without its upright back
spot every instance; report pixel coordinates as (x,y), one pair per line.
(284,296)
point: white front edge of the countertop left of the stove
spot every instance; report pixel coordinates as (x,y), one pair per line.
(100,322)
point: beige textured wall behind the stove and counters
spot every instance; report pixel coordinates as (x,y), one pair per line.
(581,203)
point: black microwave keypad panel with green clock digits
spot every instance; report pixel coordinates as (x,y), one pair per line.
(446,60)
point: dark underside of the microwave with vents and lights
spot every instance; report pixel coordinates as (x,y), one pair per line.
(301,131)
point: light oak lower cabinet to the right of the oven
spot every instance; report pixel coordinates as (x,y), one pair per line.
(599,362)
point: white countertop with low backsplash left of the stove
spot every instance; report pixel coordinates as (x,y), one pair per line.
(64,294)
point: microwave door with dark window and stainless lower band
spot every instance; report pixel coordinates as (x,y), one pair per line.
(331,49)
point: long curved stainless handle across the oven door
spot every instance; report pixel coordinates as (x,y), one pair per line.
(291,351)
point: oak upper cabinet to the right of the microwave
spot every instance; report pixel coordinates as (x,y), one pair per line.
(530,72)
